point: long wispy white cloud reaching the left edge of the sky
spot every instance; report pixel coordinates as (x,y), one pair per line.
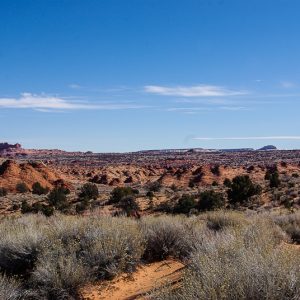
(48,103)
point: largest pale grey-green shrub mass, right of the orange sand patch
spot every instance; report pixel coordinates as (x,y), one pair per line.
(241,263)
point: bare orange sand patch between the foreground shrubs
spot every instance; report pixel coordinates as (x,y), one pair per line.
(136,285)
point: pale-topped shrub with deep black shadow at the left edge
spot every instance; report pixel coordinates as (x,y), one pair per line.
(19,242)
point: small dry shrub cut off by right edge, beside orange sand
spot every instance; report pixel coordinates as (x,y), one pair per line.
(290,224)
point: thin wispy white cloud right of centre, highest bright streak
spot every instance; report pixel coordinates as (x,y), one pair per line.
(192,91)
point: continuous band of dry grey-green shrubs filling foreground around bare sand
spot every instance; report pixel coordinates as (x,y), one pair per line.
(228,255)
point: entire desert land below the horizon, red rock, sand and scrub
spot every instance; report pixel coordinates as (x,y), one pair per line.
(157,211)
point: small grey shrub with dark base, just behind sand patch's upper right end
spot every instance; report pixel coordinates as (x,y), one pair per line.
(165,236)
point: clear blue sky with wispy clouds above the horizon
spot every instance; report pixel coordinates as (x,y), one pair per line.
(120,75)
